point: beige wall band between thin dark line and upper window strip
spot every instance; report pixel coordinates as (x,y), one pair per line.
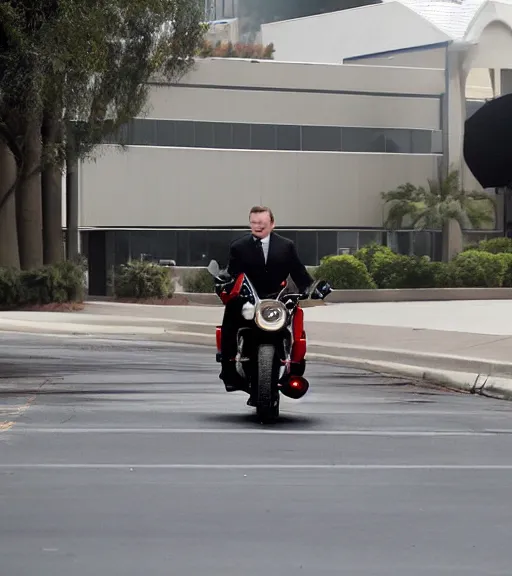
(299,108)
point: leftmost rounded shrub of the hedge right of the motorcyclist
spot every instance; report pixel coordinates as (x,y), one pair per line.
(345,273)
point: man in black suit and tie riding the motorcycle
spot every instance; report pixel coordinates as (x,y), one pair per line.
(267,259)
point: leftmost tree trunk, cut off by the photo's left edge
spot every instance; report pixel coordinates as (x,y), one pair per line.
(9,255)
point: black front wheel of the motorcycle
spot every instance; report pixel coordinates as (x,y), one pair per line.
(267,405)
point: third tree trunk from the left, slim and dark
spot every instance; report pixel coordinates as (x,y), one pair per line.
(51,189)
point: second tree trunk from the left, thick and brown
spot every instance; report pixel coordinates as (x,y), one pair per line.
(28,201)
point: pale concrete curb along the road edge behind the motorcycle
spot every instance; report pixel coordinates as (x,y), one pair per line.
(474,376)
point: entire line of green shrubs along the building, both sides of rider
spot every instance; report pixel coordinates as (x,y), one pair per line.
(487,264)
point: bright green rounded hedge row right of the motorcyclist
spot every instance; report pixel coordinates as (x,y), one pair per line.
(489,264)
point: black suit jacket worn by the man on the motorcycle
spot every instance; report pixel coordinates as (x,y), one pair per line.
(246,257)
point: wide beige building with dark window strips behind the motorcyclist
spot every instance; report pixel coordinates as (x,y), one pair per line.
(318,143)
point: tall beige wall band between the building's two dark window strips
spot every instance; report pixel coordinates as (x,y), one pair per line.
(174,187)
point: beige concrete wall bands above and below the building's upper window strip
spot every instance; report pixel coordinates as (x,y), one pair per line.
(178,186)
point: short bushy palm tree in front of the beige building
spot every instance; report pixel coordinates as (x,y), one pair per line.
(444,201)
